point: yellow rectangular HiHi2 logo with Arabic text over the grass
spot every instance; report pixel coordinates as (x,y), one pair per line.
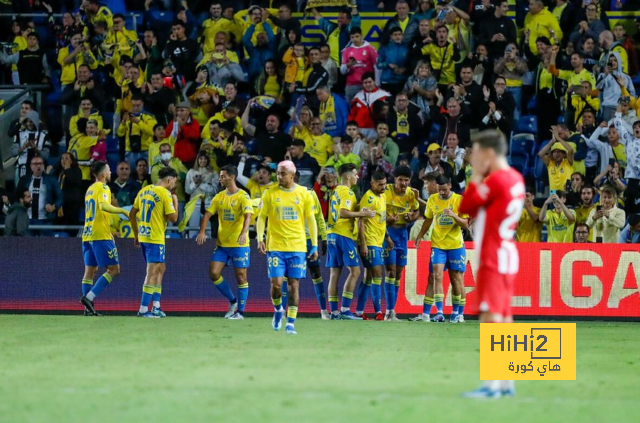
(528,351)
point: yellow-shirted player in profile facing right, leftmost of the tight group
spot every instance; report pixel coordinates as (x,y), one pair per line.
(341,239)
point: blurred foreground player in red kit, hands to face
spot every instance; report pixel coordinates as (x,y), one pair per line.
(495,197)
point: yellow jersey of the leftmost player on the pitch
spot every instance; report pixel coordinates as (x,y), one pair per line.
(97,222)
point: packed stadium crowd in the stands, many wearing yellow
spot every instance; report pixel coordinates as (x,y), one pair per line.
(231,83)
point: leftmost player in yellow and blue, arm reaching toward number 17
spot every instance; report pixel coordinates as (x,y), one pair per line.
(98,247)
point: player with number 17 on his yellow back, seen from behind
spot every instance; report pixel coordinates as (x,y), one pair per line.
(152,208)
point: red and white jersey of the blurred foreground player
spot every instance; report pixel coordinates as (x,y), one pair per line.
(497,204)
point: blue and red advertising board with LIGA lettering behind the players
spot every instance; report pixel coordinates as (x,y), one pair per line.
(556,280)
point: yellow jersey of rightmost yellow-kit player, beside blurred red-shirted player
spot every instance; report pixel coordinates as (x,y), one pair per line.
(446,233)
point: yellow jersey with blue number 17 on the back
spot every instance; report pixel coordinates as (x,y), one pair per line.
(154,204)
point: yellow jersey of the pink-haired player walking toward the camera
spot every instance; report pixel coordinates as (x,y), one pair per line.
(286,211)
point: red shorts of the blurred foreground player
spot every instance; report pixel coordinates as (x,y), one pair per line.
(493,292)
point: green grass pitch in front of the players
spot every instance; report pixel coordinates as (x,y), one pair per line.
(180,369)
